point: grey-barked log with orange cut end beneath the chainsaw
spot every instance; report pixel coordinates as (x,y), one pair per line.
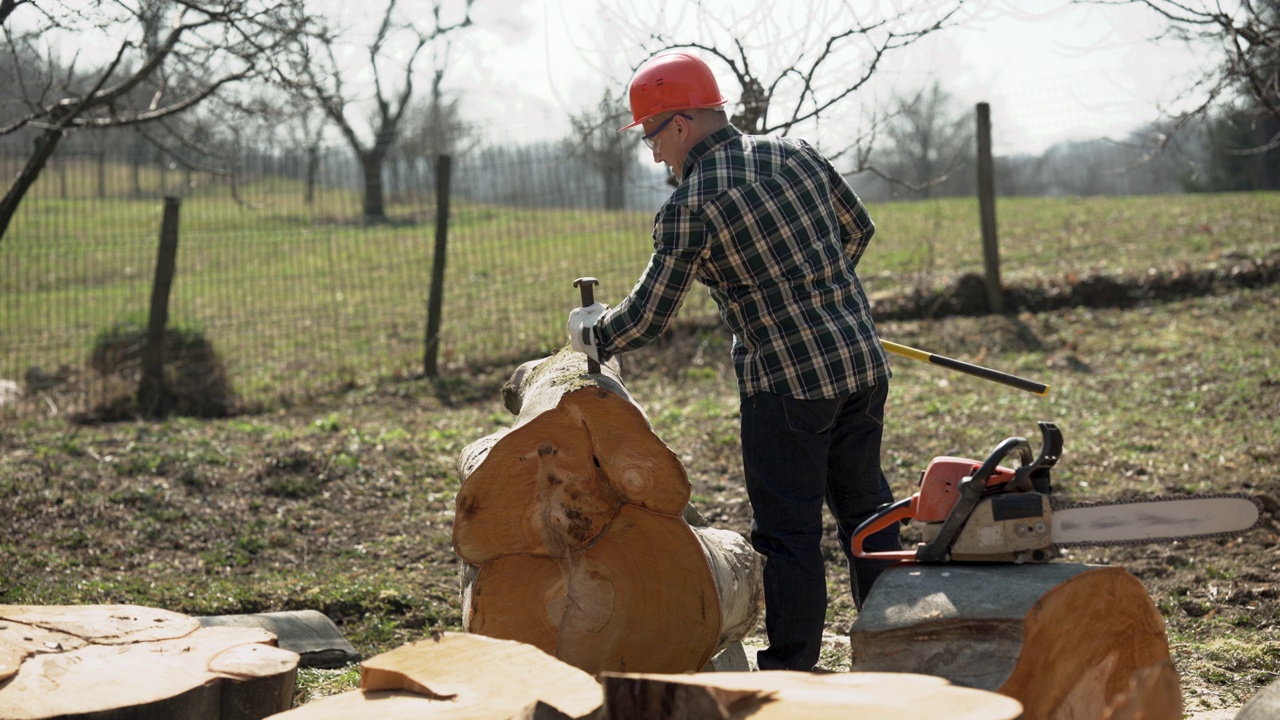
(1068,641)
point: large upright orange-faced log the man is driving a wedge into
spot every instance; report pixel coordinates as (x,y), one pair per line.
(572,523)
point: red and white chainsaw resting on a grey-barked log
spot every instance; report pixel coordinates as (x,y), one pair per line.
(973,512)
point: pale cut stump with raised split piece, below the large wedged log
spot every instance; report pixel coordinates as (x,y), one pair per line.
(456,676)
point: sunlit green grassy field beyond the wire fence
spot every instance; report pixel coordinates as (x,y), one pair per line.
(303,302)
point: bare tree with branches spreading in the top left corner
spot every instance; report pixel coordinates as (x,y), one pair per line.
(167,58)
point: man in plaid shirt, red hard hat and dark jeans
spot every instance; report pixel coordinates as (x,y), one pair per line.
(775,233)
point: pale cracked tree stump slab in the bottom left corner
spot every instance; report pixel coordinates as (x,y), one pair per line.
(125,662)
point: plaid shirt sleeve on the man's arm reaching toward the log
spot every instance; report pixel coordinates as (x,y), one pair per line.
(653,303)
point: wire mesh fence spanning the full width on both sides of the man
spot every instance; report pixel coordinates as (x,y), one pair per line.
(292,290)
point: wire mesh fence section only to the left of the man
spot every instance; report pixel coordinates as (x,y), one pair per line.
(294,288)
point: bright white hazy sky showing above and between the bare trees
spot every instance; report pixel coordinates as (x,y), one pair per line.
(1052,70)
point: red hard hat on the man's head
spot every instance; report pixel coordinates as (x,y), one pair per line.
(674,81)
